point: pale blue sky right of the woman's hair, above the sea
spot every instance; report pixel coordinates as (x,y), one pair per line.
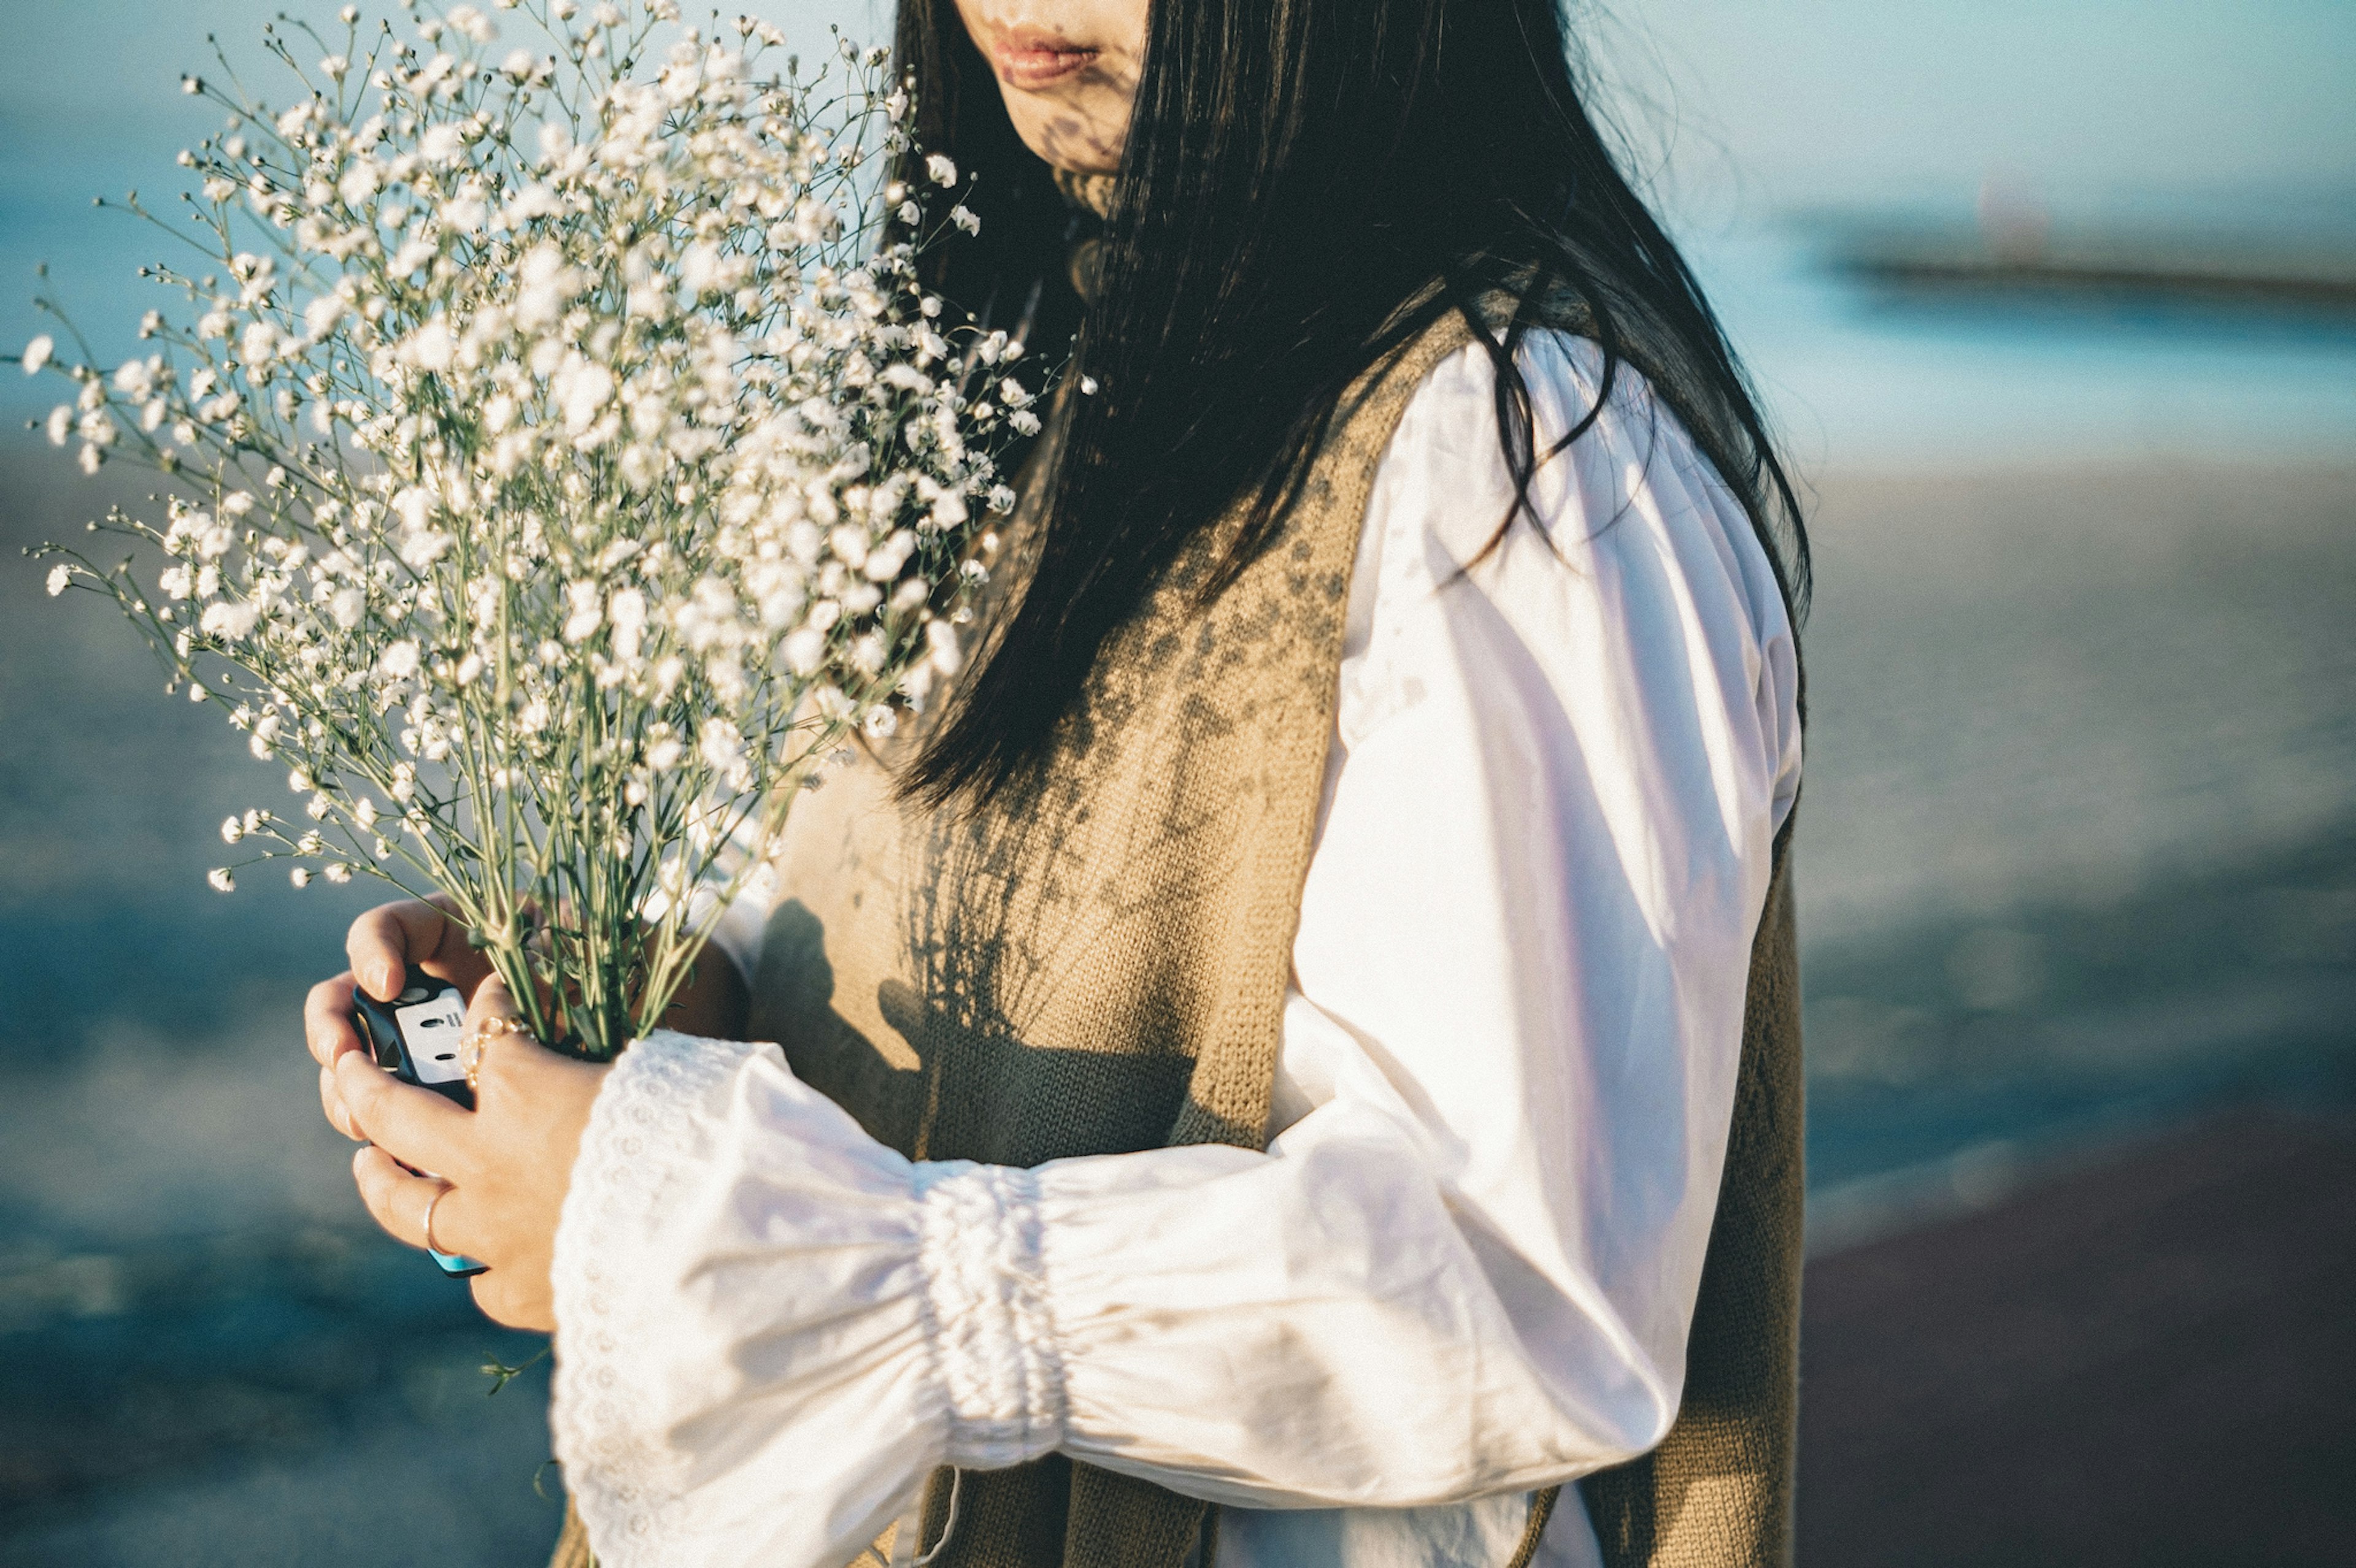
(1910,100)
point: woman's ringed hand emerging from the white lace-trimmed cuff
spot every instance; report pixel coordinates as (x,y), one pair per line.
(505,1164)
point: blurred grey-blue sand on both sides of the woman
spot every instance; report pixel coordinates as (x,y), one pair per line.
(2079,863)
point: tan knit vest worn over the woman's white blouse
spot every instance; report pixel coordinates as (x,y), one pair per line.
(1099,966)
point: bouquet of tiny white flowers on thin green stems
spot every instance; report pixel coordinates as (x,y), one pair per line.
(564,465)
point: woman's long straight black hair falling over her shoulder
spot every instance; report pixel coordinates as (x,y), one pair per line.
(1304,190)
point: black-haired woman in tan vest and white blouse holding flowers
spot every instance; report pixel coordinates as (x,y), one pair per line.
(1269,1065)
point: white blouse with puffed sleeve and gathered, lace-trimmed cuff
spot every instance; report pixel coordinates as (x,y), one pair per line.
(1467,1263)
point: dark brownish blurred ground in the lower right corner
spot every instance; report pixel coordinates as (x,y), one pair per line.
(2147,1362)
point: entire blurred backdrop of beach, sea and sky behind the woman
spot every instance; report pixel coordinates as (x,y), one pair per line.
(2058,310)
